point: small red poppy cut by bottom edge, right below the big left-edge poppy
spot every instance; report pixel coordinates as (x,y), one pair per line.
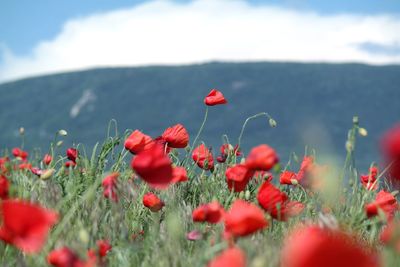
(65,257)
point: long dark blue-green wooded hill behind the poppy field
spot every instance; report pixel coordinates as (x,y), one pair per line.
(312,103)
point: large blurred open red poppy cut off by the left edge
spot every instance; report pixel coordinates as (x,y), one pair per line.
(25,225)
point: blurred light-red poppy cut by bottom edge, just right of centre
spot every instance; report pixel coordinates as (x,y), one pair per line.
(232,257)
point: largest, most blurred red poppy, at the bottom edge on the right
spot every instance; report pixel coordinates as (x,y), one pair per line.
(313,246)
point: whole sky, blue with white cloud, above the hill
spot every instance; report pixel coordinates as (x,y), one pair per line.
(46,36)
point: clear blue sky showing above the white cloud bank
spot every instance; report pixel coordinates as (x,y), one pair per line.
(23,23)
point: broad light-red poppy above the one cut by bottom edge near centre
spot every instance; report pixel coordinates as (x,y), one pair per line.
(244,218)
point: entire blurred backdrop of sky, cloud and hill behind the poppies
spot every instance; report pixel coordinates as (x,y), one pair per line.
(312,65)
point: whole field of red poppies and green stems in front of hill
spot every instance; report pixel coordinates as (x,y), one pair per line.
(136,200)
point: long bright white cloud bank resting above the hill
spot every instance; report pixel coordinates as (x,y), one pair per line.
(163,32)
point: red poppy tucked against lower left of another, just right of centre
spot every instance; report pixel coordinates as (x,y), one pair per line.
(238,177)
